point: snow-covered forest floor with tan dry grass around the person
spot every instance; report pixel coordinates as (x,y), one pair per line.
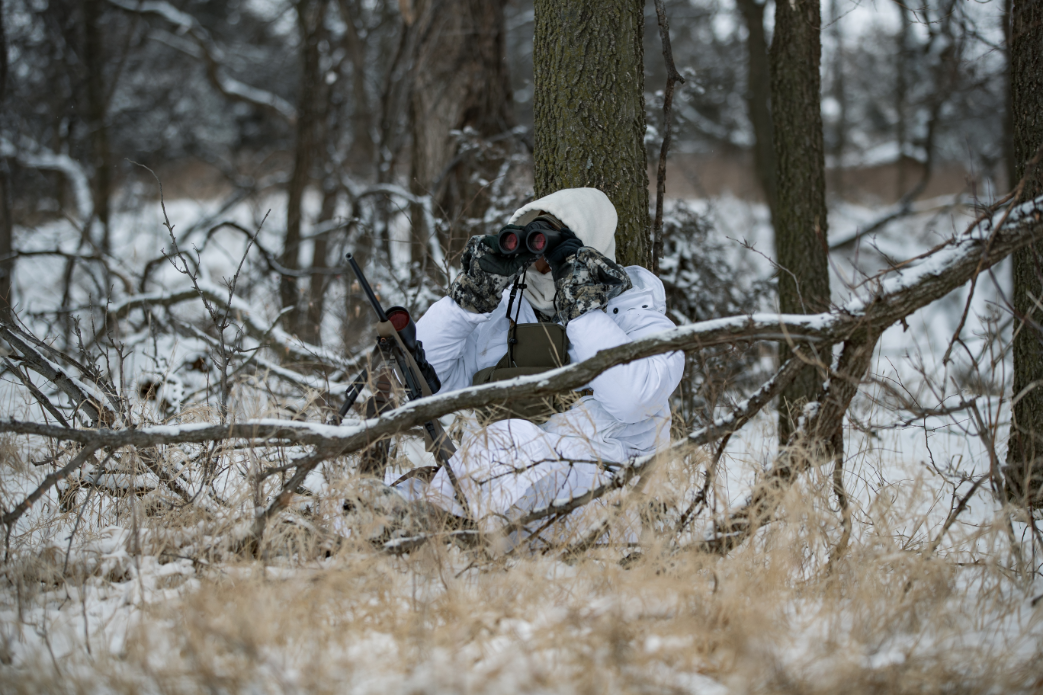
(119,594)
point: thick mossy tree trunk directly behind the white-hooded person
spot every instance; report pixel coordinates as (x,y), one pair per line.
(589,108)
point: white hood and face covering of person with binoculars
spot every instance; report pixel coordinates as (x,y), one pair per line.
(586,211)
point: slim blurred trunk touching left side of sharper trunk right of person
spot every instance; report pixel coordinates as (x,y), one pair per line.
(759,89)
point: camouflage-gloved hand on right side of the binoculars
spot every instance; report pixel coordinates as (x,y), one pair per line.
(588,281)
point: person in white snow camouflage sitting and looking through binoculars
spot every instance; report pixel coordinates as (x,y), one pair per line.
(578,292)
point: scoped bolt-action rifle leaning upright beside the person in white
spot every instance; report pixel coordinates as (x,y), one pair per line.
(399,348)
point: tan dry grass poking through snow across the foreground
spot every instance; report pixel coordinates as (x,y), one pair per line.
(171,610)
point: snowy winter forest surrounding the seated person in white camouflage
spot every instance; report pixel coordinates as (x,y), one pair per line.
(180,183)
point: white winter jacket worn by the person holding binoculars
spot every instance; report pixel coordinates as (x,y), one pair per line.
(628,415)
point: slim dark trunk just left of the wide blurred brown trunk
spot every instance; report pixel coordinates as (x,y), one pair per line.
(310,15)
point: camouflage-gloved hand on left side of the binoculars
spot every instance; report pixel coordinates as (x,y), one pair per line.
(486,275)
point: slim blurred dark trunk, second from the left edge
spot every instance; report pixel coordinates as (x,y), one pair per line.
(94,64)
